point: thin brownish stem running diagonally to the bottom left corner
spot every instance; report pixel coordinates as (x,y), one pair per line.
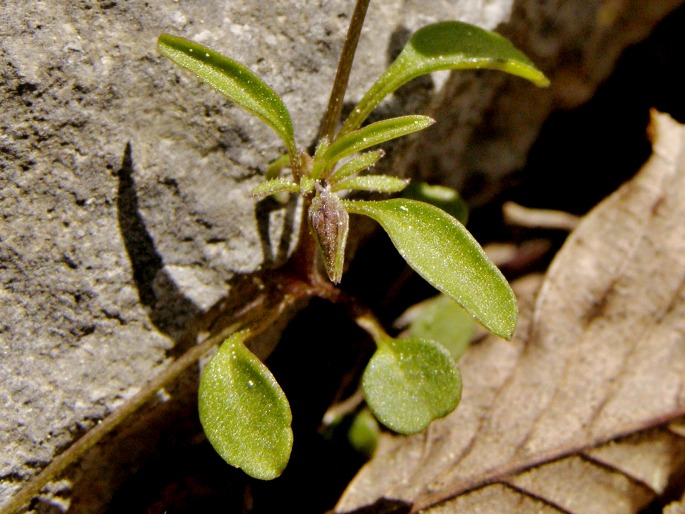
(149,390)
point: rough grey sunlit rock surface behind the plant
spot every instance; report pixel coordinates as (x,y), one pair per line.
(124,211)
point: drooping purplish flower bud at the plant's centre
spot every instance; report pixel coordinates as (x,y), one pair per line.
(329,222)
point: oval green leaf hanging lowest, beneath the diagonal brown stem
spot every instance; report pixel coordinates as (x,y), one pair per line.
(244,412)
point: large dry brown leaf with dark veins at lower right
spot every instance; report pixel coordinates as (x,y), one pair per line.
(572,416)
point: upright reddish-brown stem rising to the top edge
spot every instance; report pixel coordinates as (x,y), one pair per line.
(342,76)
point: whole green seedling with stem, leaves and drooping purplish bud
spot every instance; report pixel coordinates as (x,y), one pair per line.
(408,382)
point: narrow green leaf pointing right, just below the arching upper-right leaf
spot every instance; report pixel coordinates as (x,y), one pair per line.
(372,134)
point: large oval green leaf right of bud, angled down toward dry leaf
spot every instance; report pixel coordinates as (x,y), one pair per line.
(443,252)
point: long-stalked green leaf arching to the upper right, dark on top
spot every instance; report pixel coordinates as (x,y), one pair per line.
(448,45)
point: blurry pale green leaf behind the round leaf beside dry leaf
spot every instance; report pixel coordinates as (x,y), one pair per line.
(443,320)
